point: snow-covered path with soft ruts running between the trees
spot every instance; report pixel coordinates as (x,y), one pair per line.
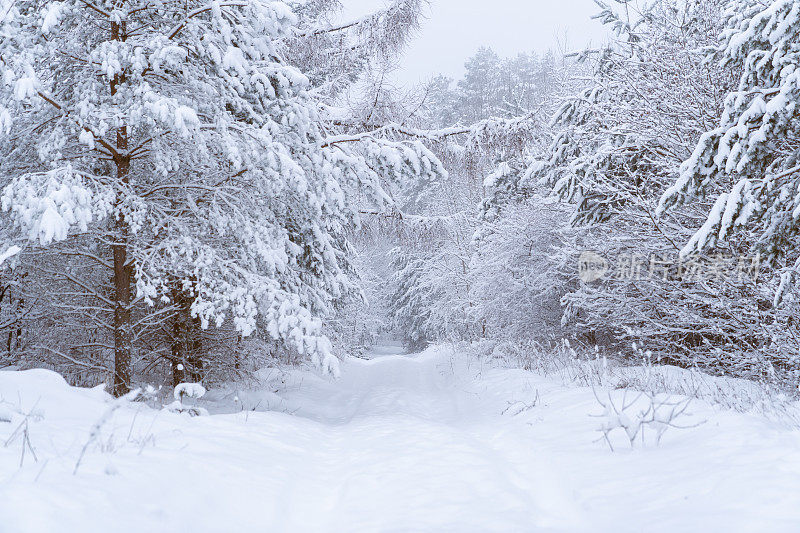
(412,446)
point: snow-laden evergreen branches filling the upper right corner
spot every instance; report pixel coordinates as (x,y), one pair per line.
(753,151)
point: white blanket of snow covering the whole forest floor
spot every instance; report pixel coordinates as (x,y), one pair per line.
(429,442)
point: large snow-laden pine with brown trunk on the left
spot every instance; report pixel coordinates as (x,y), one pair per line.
(178,139)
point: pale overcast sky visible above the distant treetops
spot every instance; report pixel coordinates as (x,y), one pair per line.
(455,29)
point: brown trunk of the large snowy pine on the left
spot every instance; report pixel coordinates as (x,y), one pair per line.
(123,336)
